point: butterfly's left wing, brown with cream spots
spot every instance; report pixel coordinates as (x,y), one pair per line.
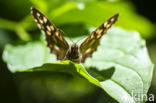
(55,41)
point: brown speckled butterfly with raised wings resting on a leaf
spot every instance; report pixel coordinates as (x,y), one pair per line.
(59,46)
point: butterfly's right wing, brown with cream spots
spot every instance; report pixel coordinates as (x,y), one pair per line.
(91,43)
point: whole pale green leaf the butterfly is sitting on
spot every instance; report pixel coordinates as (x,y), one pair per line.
(120,66)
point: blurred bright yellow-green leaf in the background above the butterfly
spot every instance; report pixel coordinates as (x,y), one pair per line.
(95,13)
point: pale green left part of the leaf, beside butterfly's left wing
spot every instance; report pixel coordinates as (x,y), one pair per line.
(22,57)
